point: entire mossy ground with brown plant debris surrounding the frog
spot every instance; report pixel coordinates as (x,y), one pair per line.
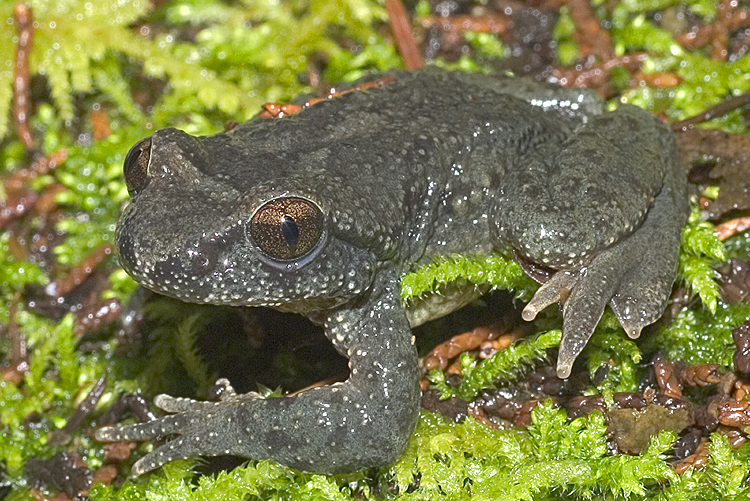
(661,418)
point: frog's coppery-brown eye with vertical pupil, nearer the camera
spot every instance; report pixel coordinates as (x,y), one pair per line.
(287,228)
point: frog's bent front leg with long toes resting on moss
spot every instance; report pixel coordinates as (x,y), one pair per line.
(366,421)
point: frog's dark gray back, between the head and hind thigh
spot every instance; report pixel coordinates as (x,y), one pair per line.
(419,154)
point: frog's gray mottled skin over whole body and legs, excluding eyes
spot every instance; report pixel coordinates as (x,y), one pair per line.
(432,163)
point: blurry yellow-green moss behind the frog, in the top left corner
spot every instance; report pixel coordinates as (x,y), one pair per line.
(89,49)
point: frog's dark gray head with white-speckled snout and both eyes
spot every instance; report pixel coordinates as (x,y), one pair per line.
(197,232)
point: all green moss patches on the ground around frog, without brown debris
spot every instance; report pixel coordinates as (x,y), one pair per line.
(213,61)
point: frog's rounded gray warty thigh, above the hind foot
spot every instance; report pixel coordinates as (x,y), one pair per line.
(558,205)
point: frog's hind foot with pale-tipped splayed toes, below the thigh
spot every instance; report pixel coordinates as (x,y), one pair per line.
(634,276)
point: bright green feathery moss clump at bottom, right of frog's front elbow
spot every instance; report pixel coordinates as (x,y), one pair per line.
(552,455)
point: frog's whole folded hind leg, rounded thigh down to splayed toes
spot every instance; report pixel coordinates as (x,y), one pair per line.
(606,208)
